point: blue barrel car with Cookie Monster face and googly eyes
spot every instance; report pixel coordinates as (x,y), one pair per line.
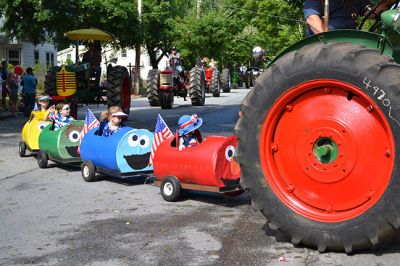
(124,154)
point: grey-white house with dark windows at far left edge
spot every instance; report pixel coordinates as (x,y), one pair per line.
(25,53)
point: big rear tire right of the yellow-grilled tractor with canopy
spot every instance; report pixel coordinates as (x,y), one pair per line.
(118,89)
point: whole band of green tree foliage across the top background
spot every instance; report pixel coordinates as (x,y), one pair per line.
(226,29)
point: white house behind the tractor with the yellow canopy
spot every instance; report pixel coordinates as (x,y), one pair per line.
(123,57)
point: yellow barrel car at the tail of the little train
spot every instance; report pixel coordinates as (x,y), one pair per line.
(30,135)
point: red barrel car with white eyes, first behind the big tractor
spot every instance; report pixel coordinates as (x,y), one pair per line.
(209,166)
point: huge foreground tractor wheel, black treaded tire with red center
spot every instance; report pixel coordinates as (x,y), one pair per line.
(319,140)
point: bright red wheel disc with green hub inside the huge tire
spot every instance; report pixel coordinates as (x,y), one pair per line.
(327,150)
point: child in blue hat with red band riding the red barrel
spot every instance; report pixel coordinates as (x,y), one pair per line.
(189,135)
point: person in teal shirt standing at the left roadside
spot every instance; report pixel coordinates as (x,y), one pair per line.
(29,83)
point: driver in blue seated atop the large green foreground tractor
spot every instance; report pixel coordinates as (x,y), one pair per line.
(341,13)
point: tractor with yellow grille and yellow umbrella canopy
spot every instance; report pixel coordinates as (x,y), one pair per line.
(78,83)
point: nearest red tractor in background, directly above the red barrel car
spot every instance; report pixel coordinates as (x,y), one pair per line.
(163,85)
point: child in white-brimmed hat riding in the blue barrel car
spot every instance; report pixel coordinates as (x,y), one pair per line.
(111,121)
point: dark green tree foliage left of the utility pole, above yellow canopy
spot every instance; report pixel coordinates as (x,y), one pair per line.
(47,20)
